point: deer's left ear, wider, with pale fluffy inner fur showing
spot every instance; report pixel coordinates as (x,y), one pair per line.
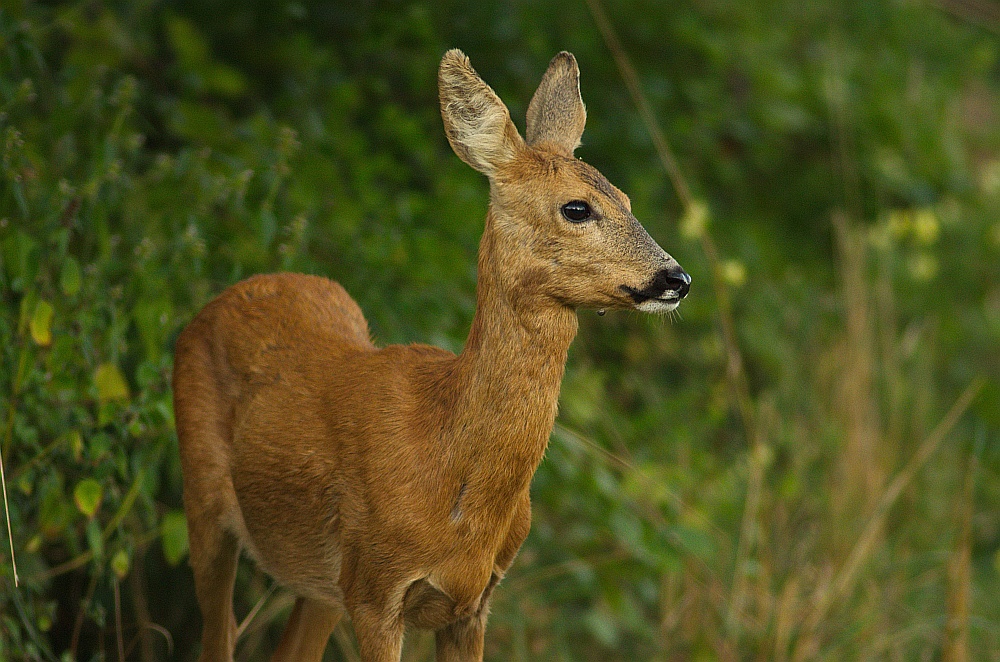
(476,122)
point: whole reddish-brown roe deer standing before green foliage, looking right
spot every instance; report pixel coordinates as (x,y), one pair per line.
(393,482)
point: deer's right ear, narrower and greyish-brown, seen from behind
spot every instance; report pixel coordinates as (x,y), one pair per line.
(556,114)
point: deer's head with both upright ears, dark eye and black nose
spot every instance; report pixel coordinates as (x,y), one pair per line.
(558,232)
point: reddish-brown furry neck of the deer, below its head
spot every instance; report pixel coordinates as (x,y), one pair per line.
(509,374)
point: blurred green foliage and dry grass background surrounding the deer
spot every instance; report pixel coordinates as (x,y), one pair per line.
(804,464)
